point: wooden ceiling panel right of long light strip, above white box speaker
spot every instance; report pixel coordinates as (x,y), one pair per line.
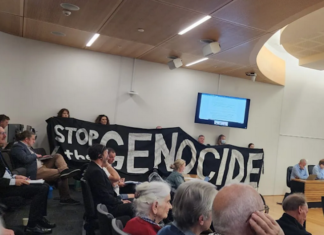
(227,34)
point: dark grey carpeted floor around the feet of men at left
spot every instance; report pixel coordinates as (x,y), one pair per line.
(68,219)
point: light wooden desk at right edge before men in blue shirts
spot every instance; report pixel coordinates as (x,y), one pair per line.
(313,190)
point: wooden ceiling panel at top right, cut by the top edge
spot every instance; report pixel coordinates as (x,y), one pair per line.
(263,15)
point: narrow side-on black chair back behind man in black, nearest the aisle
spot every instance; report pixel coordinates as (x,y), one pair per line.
(90,218)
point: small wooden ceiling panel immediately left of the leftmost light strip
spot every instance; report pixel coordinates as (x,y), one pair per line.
(40,30)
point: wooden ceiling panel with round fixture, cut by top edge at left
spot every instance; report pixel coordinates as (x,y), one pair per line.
(90,17)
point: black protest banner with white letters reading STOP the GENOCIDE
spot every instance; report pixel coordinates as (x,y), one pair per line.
(139,151)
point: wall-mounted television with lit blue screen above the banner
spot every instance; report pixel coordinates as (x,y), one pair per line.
(221,110)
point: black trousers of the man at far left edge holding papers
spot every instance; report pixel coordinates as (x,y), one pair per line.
(37,193)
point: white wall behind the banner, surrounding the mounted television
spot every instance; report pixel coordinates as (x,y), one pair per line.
(37,79)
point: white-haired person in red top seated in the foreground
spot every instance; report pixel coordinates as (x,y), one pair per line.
(152,204)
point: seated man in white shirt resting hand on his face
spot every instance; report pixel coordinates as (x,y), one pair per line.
(113,175)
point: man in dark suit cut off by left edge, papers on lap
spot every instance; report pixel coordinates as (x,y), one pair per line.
(17,185)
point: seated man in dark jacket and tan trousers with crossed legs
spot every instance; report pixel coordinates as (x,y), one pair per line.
(51,170)
